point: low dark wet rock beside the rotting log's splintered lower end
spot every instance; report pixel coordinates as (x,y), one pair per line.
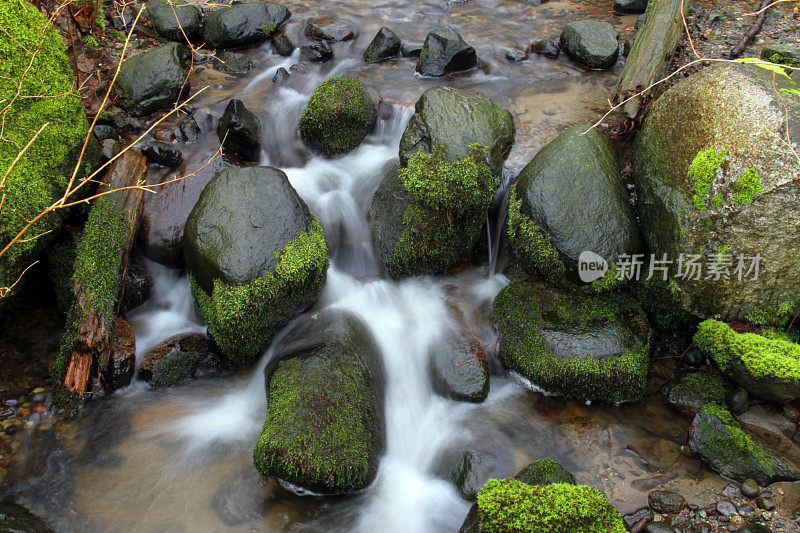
(181,358)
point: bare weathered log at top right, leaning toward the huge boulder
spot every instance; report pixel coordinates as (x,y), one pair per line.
(652,51)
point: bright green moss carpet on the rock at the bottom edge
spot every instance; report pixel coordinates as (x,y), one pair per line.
(509,505)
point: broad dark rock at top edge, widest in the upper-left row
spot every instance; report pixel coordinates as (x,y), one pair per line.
(243,24)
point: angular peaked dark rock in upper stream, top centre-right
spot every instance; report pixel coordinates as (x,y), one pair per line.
(445,52)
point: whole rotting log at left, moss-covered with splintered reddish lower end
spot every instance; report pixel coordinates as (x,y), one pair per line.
(101,266)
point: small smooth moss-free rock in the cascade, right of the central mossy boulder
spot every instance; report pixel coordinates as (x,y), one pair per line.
(458,368)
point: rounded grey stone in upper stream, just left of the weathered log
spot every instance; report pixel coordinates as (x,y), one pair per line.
(591,43)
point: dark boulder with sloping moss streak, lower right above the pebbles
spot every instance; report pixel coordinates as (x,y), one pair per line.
(718,438)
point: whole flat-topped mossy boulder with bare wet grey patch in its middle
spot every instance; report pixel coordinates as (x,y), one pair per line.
(572,344)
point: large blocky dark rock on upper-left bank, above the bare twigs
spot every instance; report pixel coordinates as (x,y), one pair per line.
(153,80)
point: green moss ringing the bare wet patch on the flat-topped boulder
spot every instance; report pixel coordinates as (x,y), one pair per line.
(521,310)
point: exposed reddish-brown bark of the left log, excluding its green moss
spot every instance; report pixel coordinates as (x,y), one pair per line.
(95,319)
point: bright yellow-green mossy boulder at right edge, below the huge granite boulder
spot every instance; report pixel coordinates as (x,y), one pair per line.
(767,367)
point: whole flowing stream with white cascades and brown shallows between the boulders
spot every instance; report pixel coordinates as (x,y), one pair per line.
(179,459)
